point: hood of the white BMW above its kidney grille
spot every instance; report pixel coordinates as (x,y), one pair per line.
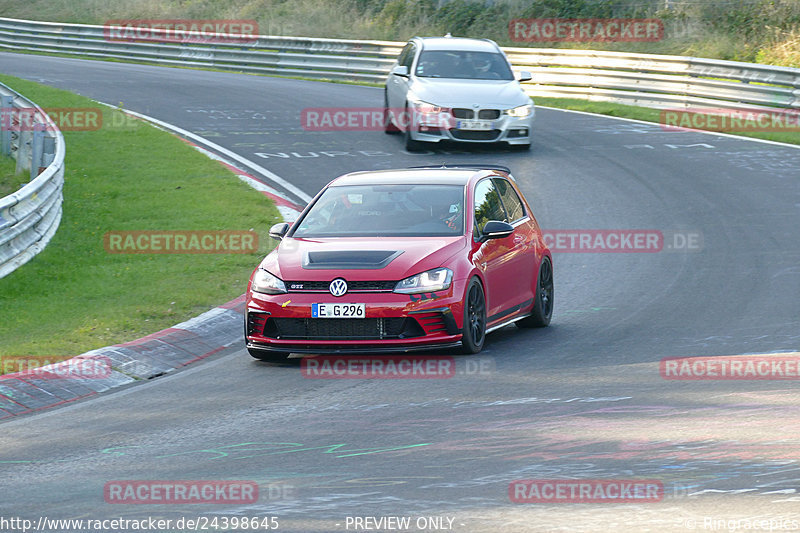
(465,93)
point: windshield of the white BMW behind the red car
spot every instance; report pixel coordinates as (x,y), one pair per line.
(461,64)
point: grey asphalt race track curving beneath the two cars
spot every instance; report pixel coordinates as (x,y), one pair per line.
(582,399)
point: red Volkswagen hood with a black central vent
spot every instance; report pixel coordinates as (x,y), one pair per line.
(373,258)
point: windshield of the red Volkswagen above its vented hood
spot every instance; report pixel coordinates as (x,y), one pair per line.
(385,211)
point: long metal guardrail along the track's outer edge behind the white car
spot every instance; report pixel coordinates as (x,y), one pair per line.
(639,79)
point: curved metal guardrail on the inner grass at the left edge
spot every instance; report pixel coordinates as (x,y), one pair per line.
(30,217)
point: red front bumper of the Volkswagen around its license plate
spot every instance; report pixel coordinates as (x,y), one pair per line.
(393,322)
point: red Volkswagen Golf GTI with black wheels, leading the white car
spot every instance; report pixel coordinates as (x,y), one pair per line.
(400,260)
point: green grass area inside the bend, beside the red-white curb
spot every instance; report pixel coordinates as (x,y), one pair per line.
(74,296)
